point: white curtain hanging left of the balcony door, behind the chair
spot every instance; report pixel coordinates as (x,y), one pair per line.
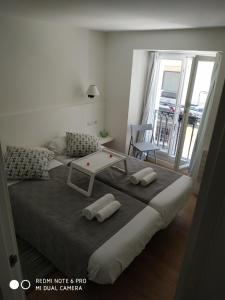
(148,111)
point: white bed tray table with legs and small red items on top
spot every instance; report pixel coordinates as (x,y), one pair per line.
(93,164)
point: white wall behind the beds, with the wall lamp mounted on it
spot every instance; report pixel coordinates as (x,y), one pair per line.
(45,69)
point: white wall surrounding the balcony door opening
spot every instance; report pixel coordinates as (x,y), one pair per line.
(120,46)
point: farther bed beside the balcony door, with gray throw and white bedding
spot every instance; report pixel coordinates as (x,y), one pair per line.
(167,201)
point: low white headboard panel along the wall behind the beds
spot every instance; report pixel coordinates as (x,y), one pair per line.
(35,128)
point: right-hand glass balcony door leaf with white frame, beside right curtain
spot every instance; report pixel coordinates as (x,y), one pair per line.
(196,97)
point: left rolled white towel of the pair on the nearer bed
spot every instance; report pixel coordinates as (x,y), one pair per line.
(90,211)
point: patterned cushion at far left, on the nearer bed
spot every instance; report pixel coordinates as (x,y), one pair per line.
(27,163)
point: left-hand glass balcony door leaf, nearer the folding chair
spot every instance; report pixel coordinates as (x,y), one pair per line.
(170,98)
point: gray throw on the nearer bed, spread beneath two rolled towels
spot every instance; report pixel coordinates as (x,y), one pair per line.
(47,214)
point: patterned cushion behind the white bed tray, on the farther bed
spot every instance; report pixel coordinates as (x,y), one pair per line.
(81,144)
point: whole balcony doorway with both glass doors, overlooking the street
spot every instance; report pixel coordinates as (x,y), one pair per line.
(182,86)
